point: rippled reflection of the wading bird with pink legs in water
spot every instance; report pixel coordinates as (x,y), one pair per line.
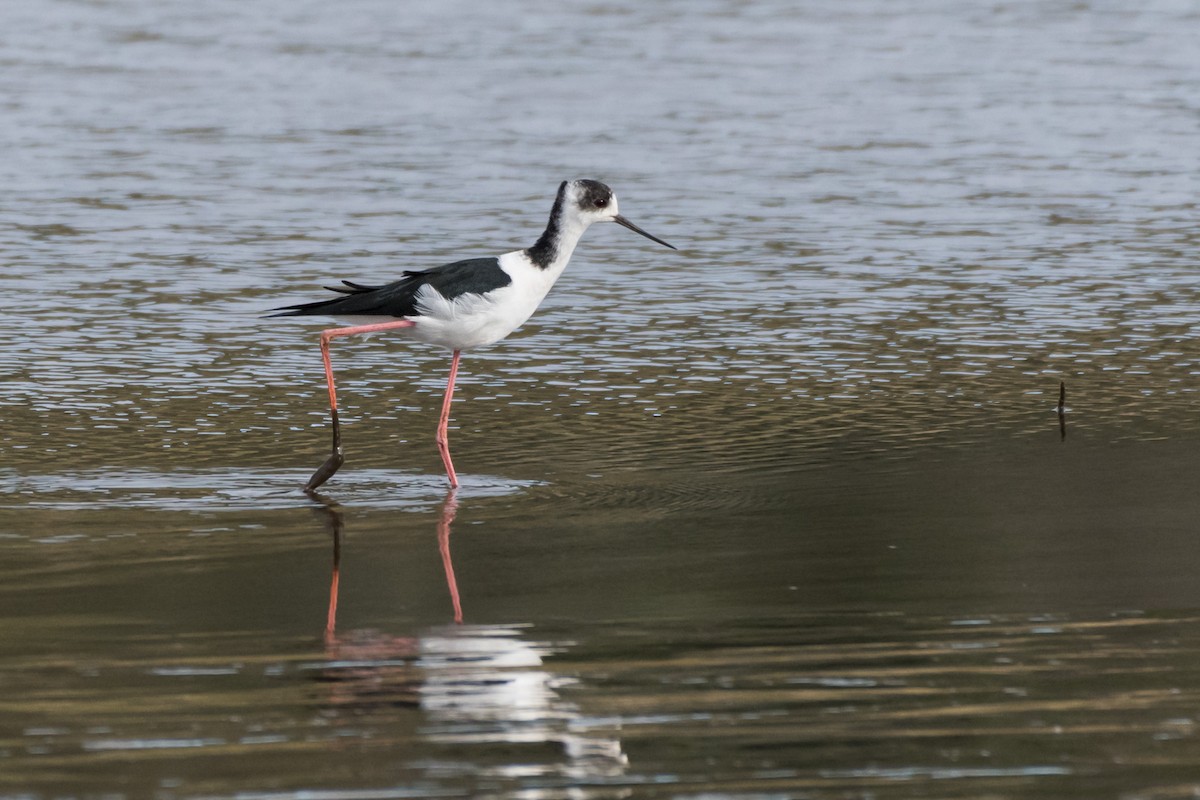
(473,684)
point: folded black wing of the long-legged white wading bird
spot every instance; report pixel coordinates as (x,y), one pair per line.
(399,299)
